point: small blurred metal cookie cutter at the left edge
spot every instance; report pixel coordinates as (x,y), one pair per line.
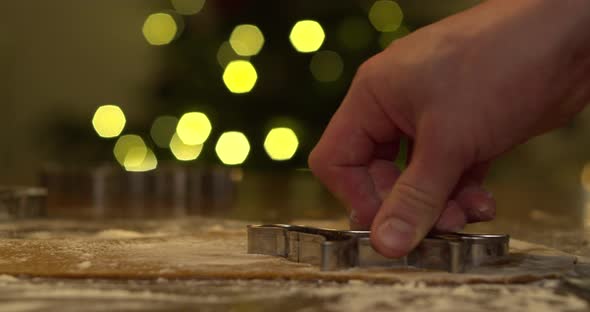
(22,202)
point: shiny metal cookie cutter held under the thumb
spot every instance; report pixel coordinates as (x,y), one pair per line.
(333,249)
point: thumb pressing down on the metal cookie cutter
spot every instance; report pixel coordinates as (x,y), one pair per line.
(419,195)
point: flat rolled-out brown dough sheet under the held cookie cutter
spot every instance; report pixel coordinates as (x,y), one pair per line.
(218,251)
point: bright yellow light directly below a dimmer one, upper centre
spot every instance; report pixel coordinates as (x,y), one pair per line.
(240,76)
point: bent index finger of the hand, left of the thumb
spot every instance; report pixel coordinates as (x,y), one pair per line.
(359,135)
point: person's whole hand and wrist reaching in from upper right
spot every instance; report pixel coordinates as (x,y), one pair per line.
(464,91)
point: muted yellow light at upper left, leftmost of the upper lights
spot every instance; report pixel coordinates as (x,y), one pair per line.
(159,29)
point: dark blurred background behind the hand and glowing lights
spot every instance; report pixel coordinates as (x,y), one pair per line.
(60,60)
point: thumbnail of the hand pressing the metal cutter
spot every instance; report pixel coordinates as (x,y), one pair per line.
(396,235)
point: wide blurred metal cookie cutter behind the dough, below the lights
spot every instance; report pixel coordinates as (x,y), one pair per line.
(108,191)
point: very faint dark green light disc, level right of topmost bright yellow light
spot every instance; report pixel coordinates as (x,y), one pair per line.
(355,33)
